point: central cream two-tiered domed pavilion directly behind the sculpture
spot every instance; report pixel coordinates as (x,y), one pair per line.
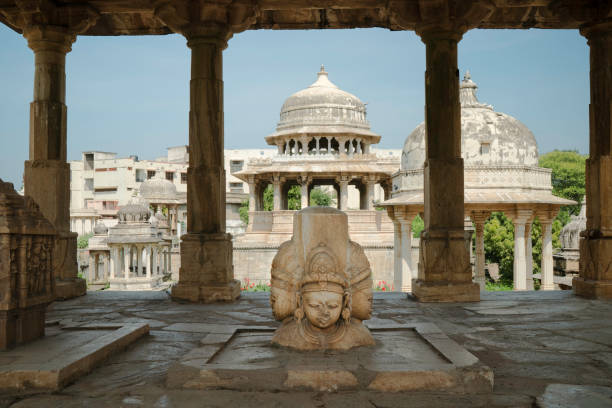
(323,139)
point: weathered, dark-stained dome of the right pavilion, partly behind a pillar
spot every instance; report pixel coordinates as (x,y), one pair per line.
(487,137)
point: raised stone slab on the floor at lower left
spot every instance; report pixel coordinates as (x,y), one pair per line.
(66,353)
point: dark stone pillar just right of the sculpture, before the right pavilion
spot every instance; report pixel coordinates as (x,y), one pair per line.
(446,274)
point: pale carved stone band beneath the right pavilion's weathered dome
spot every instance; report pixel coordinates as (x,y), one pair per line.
(480,177)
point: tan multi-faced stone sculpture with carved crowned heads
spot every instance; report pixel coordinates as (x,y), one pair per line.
(321,286)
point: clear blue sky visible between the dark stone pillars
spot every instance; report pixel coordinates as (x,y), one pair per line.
(130,95)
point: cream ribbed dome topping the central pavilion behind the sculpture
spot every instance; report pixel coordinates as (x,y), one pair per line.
(322,103)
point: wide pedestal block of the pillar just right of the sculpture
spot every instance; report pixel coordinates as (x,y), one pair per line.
(445,273)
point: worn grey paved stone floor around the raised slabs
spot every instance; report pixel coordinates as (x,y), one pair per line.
(545,348)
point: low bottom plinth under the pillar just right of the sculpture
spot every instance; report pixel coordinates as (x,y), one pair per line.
(446,292)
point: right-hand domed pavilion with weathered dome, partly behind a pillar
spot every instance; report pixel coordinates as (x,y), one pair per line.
(501,173)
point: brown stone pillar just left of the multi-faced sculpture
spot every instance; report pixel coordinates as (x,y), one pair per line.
(206,273)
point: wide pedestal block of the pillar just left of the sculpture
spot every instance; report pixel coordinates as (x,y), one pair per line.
(206,273)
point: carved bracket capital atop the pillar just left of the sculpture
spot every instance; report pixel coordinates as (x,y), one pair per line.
(202,20)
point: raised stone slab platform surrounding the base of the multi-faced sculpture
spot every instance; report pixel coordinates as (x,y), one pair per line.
(415,356)
